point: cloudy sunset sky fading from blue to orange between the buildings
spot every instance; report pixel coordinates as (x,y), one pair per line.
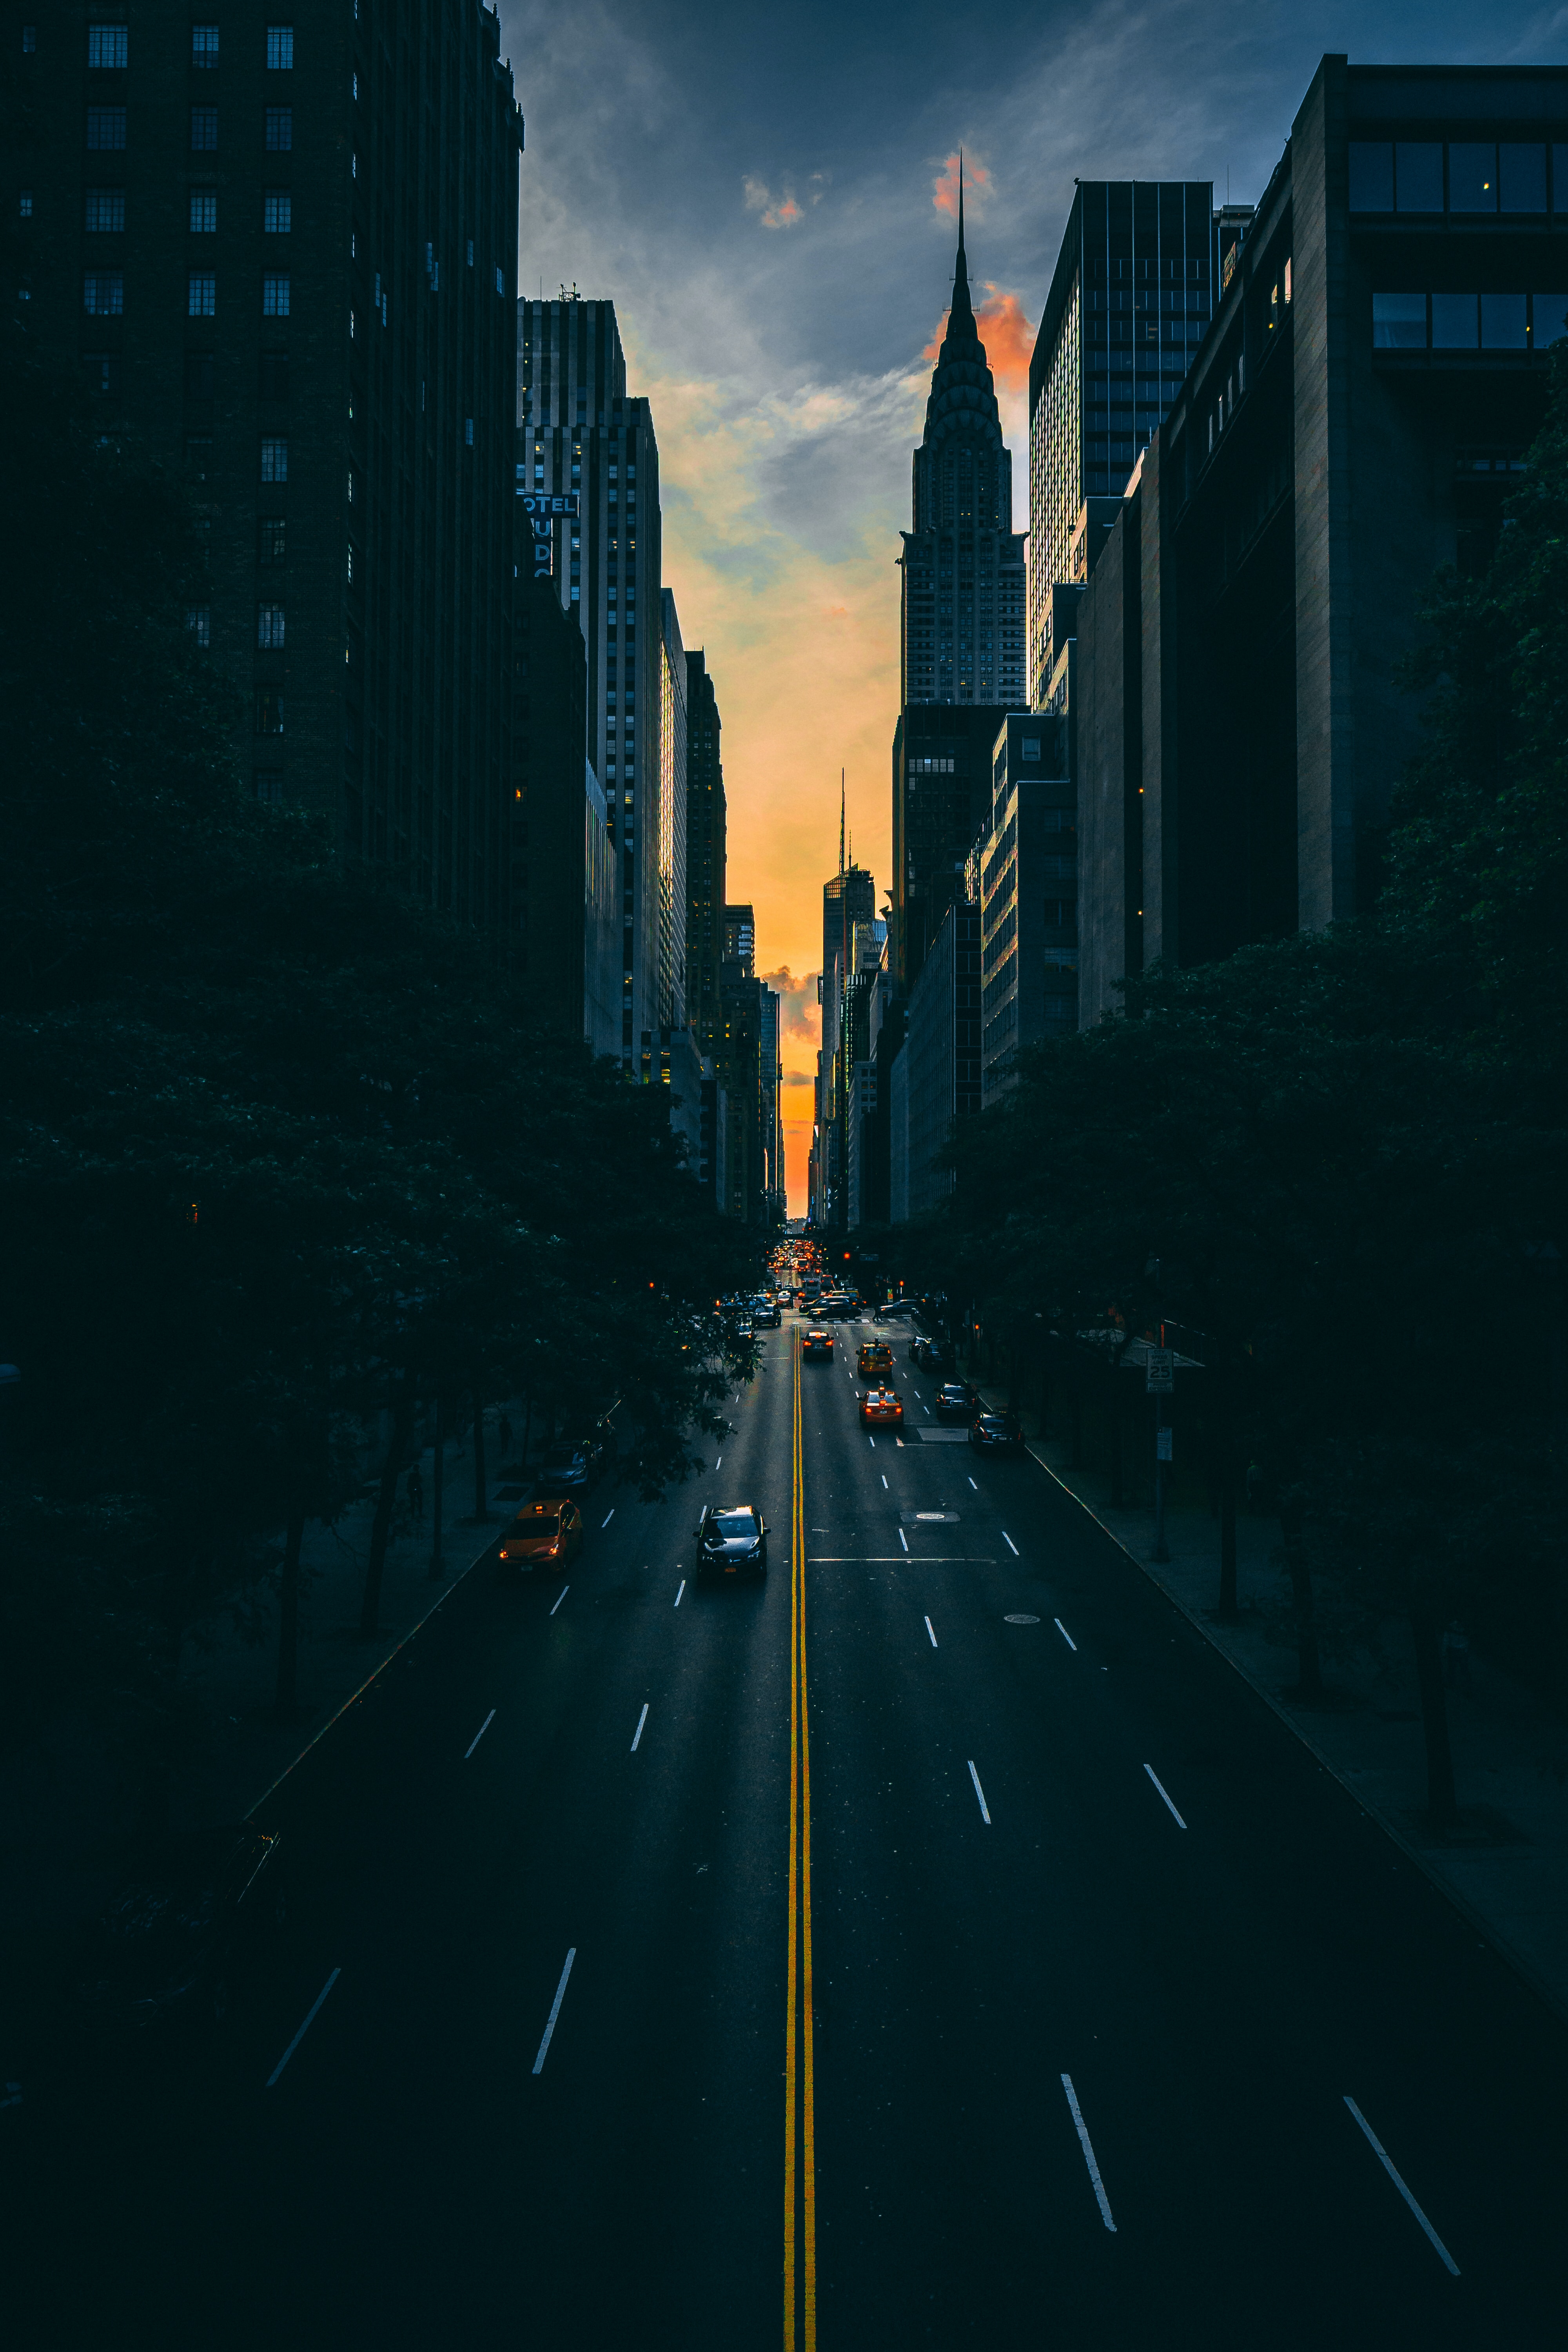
(768,196)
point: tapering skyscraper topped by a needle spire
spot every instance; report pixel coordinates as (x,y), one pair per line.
(963,561)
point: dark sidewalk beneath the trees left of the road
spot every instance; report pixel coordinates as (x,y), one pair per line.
(65,1803)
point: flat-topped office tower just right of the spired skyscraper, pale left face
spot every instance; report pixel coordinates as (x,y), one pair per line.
(1127,309)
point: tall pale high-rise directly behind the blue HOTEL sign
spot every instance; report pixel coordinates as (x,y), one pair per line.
(582,436)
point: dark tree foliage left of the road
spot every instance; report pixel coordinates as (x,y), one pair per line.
(276,1147)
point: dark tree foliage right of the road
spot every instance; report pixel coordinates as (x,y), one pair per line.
(1339,1163)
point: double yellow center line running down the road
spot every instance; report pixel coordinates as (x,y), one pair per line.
(800,2097)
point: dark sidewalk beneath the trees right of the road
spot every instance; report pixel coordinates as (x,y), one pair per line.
(1508,1862)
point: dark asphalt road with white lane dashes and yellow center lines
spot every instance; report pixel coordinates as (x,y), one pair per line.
(1097,1963)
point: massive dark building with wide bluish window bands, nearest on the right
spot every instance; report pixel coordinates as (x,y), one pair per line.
(1355,417)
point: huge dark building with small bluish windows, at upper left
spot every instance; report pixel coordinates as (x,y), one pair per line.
(283,258)
